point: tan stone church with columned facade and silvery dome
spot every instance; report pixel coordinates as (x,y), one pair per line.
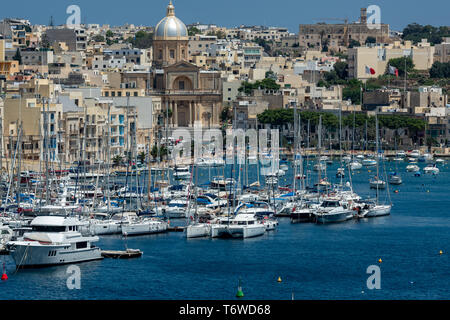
(192,94)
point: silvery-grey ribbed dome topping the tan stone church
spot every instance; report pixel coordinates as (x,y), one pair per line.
(171,28)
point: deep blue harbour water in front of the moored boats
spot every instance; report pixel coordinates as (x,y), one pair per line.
(313,261)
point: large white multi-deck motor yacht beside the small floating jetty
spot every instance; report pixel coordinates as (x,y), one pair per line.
(53,241)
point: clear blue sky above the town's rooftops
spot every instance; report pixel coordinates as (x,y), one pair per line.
(283,13)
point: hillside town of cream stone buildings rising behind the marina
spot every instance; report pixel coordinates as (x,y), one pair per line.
(72,90)
